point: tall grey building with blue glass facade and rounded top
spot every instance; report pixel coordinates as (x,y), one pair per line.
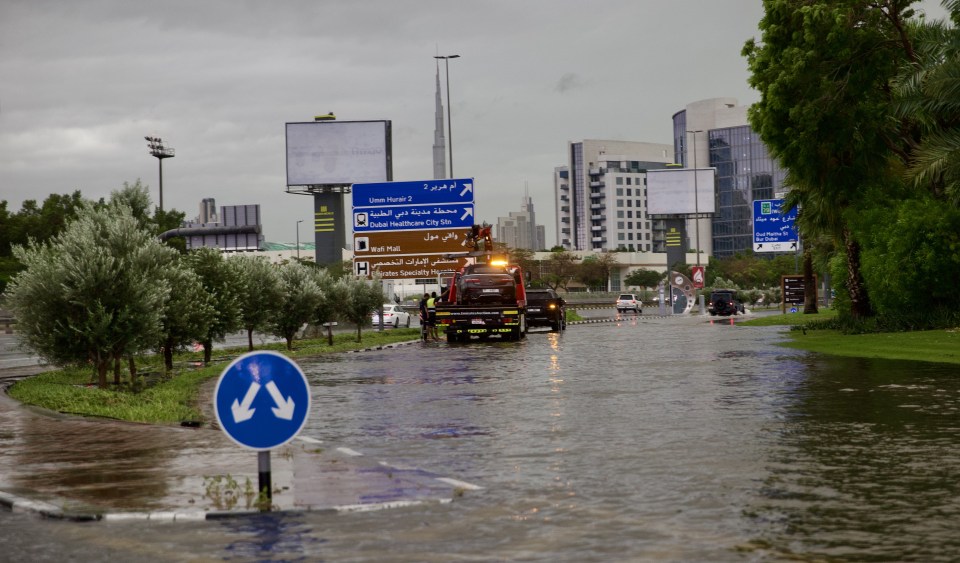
(716,133)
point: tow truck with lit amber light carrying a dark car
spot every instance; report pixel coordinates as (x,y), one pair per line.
(485,298)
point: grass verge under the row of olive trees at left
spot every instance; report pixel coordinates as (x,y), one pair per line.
(172,398)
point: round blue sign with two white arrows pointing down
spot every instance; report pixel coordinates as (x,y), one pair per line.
(262,400)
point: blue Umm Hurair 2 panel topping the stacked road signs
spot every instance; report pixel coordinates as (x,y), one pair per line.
(421,192)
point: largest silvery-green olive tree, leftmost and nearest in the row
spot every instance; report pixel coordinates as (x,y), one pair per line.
(94,293)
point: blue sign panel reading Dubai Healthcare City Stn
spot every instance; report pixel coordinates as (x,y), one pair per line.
(413,217)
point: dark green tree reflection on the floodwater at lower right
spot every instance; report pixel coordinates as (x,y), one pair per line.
(865,464)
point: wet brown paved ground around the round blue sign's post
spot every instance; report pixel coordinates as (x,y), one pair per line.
(77,468)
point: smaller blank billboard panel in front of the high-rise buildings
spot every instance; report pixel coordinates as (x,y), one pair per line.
(671,191)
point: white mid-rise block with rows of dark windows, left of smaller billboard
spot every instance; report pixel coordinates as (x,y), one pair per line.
(600,195)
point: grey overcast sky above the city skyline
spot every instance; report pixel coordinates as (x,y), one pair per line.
(82,83)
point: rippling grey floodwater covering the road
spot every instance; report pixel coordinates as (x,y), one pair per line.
(647,439)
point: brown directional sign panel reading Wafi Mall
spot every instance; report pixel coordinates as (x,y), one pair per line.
(430,241)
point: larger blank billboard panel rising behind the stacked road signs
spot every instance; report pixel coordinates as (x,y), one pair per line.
(338,152)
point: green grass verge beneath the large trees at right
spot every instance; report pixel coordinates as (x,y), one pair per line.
(941,346)
